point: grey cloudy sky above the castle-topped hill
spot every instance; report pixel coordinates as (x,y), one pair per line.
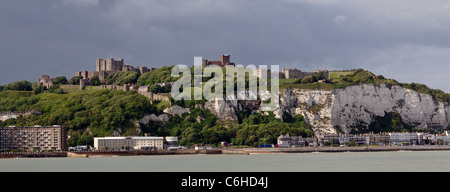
(407,40)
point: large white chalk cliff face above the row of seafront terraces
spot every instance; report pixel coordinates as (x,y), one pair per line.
(355,107)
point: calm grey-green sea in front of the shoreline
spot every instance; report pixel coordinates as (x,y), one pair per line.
(299,162)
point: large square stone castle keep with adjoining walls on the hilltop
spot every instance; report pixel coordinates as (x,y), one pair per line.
(104,68)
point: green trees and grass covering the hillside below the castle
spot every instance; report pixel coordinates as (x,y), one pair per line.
(93,113)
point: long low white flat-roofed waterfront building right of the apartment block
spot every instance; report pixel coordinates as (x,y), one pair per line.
(115,143)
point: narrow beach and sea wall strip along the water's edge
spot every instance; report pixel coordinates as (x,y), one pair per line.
(240,151)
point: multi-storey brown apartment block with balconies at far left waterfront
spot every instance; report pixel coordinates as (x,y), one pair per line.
(33,138)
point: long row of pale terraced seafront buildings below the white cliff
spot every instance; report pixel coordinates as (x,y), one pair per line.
(385,139)
